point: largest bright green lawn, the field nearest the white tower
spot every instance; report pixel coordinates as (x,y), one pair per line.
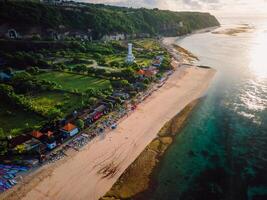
(72,82)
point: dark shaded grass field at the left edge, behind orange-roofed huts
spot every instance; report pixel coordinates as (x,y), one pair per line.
(13,120)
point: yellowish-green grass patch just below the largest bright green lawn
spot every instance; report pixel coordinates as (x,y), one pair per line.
(66,102)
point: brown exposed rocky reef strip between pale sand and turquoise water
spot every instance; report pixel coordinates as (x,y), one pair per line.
(149,160)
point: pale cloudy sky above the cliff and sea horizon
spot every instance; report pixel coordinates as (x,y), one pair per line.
(219,7)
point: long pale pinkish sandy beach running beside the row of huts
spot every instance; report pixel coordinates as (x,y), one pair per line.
(90,173)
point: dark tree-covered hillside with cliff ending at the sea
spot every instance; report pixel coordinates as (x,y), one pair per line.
(99,20)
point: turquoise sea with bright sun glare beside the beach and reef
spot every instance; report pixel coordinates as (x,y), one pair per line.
(222,151)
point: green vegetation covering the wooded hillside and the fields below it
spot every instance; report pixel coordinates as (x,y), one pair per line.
(52,78)
